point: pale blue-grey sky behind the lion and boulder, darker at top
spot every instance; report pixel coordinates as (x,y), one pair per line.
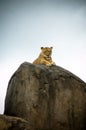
(27,25)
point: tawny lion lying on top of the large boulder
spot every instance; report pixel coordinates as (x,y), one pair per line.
(45,57)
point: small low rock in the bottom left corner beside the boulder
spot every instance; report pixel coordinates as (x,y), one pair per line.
(13,123)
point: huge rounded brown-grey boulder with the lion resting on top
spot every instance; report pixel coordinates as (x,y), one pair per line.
(50,98)
